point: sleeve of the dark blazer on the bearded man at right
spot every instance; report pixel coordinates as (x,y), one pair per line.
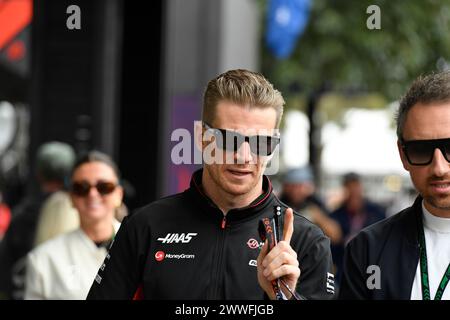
(353,286)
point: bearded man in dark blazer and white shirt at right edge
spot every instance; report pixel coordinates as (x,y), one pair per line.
(408,255)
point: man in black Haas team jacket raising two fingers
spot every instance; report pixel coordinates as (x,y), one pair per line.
(204,243)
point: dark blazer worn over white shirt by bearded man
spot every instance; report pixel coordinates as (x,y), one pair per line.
(391,244)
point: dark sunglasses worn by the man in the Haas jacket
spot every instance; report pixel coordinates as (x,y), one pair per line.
(228,140)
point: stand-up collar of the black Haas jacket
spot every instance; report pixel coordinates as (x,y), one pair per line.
(234,215)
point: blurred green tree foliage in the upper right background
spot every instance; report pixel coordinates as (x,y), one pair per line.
(338,49)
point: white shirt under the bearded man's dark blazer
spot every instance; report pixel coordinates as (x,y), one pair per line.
(437,239)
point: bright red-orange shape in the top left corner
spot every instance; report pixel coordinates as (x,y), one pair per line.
(15,15)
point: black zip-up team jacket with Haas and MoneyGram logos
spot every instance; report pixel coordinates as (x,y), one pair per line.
(182,247)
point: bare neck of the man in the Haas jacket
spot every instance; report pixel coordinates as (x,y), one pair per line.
(226,201)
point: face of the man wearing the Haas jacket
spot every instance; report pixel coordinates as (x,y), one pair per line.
(244,174)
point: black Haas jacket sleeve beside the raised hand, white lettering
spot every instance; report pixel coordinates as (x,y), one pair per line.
(316,279)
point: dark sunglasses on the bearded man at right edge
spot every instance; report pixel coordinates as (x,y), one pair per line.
(420,152)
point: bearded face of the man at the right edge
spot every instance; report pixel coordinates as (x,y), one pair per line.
(425,122)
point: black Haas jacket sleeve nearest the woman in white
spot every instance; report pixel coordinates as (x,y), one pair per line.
(120,275)
